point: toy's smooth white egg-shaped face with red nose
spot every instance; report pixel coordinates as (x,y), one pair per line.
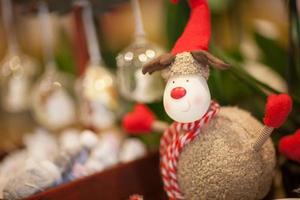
(186,98)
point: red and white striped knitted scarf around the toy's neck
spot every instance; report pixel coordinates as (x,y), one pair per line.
(171,145)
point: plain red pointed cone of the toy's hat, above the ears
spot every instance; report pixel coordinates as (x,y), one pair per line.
(197,32)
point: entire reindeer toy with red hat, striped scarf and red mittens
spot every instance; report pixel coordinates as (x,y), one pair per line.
(209,152)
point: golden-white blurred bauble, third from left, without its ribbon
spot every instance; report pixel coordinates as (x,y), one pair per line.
(98,98)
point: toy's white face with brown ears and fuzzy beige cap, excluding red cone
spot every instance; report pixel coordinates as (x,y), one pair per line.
(186,96)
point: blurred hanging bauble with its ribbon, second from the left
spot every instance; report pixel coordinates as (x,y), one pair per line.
(52,106)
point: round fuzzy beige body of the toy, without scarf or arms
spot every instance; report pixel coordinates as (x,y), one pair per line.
(220,162)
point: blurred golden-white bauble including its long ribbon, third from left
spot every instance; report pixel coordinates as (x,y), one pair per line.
(96,88)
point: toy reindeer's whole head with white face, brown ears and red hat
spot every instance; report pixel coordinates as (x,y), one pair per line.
(186,96)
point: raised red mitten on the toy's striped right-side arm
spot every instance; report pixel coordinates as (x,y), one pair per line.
(278,108)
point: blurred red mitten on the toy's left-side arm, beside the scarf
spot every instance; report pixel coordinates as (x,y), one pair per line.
(138,121)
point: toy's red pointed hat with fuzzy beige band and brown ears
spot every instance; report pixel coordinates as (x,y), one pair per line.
(190,47)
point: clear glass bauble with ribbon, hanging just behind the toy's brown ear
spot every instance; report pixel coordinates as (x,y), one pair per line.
(133,85)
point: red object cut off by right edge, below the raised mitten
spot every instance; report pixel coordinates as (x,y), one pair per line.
(289,146)
